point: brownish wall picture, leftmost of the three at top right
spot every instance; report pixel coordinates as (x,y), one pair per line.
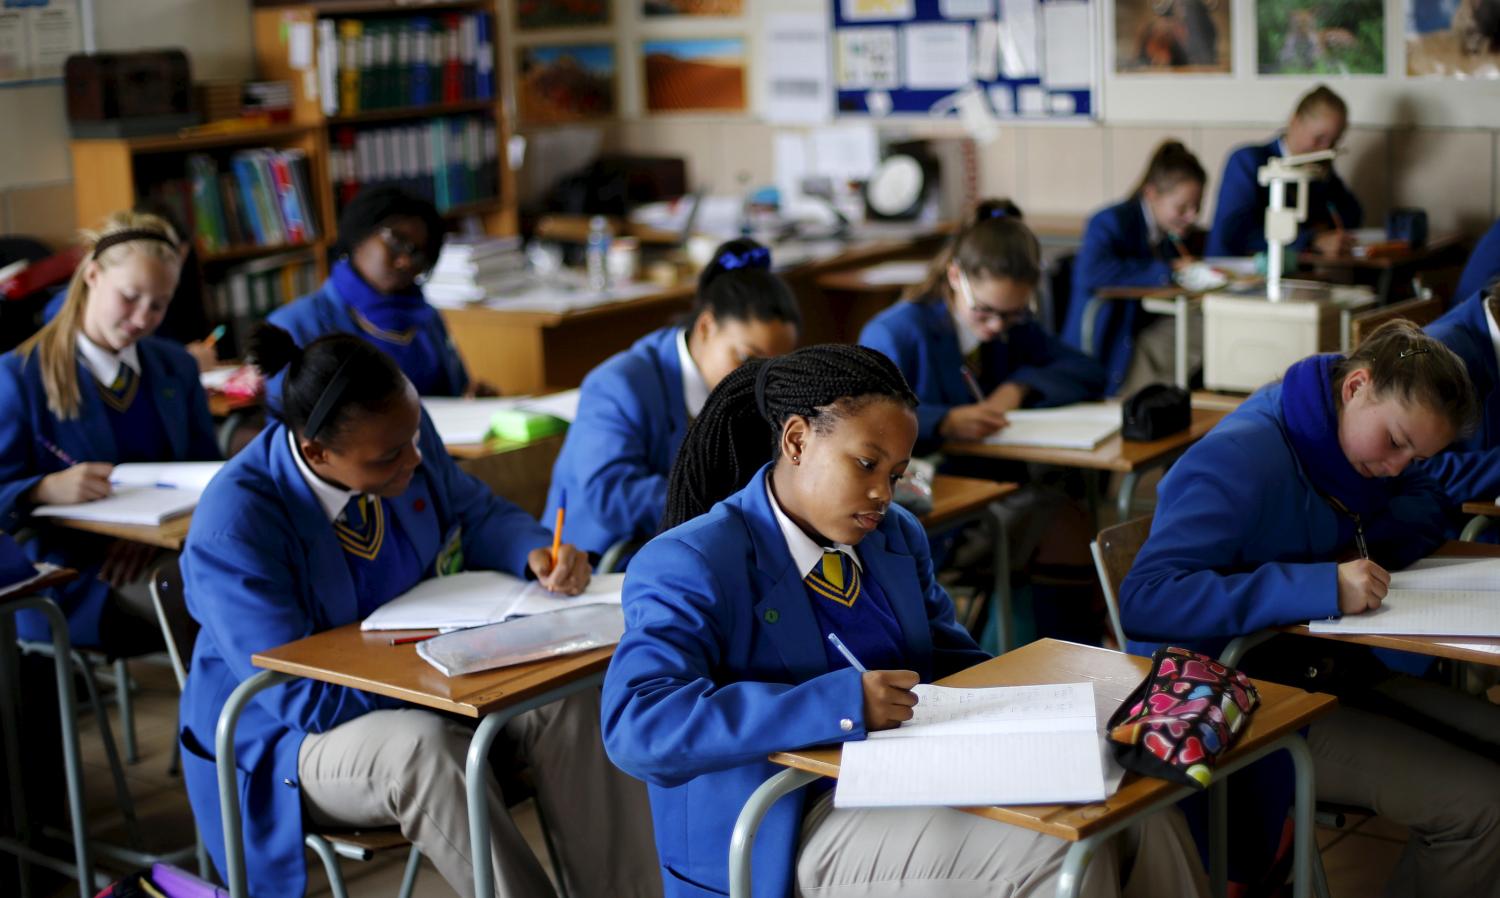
(1178,37)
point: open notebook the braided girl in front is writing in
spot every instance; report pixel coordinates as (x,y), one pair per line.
(1003,746)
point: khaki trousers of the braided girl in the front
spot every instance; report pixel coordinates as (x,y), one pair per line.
(947,854)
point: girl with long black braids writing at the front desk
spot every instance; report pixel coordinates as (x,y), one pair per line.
(784,533)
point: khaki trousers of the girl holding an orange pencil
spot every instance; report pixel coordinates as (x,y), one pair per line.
(406,768)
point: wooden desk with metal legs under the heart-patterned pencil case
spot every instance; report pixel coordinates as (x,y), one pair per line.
(1274,726)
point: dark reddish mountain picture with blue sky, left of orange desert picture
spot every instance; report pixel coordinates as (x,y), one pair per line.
(566,83)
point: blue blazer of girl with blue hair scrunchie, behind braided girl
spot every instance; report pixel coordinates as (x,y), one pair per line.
(619,453)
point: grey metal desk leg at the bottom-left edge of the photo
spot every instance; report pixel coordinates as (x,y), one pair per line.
(73,759)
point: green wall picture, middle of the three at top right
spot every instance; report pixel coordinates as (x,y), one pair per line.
(1321,37)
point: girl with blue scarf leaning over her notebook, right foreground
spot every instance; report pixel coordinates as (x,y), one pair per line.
(1297,507)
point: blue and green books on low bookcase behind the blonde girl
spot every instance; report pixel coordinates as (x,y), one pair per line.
(262,199)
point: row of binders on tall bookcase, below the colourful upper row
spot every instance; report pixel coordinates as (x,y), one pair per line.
(452,161)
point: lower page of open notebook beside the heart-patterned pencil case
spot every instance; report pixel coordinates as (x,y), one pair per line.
(968,771)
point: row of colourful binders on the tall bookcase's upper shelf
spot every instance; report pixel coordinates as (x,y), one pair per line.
(385,64)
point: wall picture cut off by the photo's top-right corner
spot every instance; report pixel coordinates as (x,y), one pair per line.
(1454,38)
